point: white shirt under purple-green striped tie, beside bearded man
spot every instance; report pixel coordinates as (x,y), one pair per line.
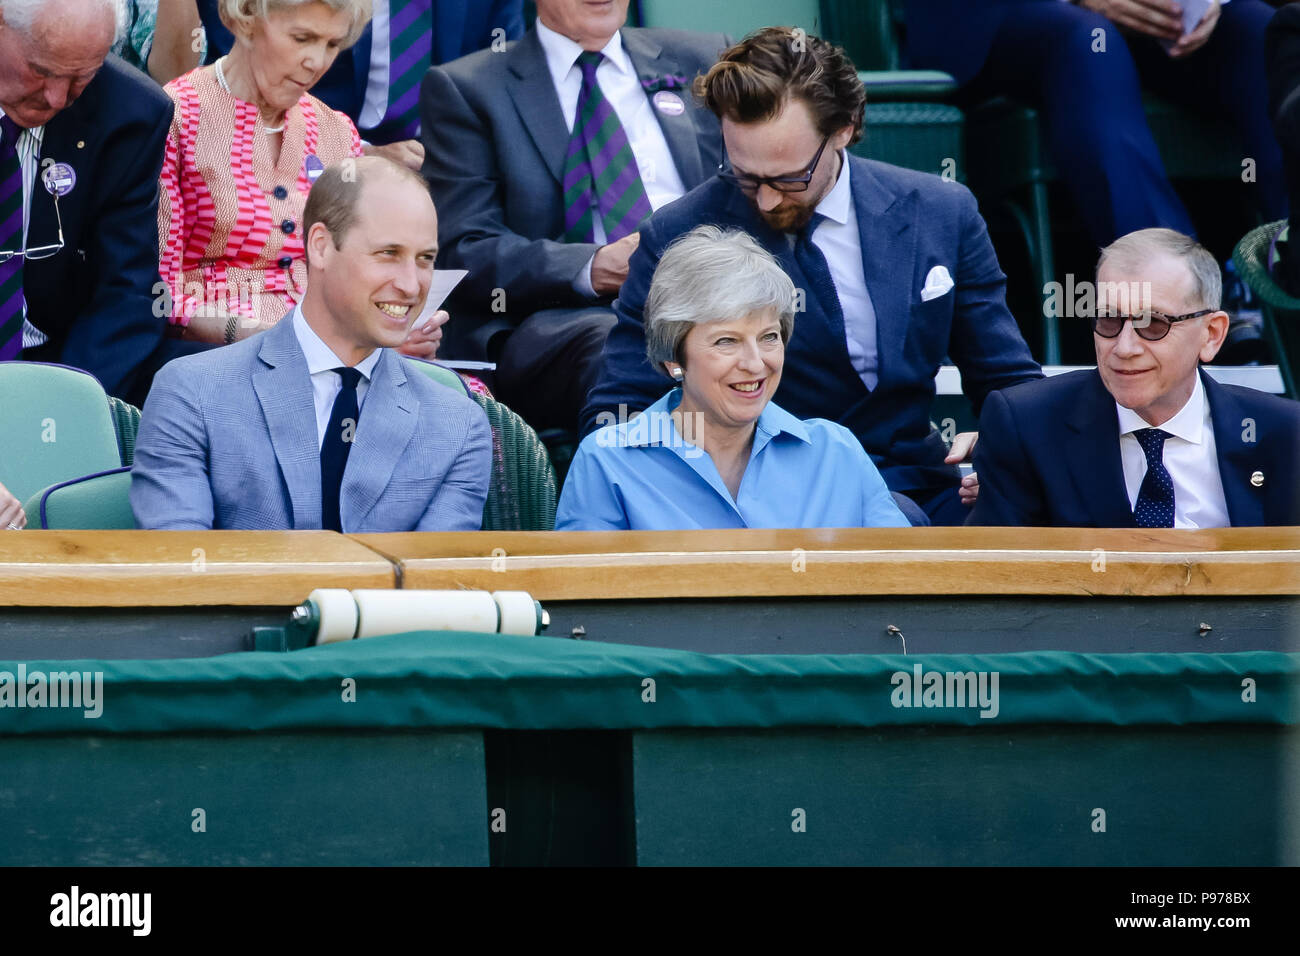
(622,89)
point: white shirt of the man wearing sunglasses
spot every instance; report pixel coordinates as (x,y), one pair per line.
(1190,458)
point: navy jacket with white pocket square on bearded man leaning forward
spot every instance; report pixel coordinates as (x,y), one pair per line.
(909,223)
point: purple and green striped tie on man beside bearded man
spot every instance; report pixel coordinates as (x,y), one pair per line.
(600,171)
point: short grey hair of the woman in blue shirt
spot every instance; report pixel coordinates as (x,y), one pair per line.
(707,276)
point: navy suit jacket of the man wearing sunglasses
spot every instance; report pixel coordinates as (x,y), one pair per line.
(1048,456)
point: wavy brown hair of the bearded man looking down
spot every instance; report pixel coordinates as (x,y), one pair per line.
(753,81)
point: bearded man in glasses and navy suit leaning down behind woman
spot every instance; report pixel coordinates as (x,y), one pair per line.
(896,267)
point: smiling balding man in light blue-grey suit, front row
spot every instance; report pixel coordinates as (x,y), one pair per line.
(319,423)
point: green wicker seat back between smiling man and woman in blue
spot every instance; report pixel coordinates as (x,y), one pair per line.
(522,494)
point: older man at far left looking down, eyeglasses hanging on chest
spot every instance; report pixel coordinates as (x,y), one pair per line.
(81,146)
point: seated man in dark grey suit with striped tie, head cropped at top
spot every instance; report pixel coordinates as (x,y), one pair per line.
(544,211)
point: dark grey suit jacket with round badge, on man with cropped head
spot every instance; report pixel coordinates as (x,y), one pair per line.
(495,141)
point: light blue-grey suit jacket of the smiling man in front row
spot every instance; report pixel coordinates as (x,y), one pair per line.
(228,440)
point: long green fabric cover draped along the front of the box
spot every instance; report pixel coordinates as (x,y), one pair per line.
(448,680)
